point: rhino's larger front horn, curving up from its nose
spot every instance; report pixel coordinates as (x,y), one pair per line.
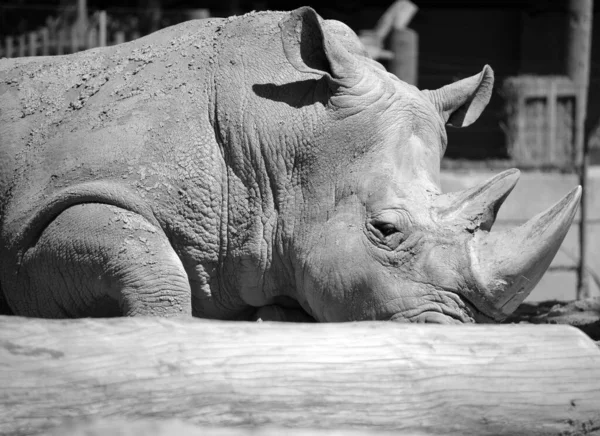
(507,265)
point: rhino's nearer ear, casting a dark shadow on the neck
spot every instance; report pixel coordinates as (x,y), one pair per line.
(311,49)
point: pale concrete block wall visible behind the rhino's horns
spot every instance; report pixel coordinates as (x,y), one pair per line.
(534,193)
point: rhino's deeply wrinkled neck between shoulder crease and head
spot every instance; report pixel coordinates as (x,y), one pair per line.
(264,119)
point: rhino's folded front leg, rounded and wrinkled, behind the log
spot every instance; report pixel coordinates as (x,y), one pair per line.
(100,260)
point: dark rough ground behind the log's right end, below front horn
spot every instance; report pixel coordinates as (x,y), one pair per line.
(583,314)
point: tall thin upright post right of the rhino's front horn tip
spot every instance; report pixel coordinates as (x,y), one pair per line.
(578,69)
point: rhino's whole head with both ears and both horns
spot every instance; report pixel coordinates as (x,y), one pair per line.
(377,239)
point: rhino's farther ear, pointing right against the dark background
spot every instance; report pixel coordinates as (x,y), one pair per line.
(461,103)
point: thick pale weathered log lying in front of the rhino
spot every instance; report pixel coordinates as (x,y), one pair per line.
(429,379)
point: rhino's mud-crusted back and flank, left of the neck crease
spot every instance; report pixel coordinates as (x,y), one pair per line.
(133,117)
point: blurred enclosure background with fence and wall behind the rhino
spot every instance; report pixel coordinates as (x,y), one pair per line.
(544,116)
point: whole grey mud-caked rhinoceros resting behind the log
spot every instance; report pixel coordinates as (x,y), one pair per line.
(260,166)
